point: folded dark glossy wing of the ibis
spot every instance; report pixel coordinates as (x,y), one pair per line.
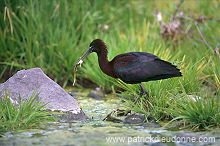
(136,67)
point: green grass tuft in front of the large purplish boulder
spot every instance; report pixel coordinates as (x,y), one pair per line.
(24,114)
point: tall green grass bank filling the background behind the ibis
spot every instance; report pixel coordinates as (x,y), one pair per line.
(52,35)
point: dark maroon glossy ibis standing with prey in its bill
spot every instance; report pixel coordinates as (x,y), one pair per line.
(132,67)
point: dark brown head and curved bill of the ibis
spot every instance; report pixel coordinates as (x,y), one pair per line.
(97,46)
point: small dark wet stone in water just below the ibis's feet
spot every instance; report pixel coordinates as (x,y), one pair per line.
(135,118)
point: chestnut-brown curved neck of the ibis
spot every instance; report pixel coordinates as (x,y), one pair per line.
(104,64)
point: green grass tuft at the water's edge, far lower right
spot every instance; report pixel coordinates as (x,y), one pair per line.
(196,112)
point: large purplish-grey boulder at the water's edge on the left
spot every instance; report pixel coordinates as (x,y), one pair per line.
(25,82)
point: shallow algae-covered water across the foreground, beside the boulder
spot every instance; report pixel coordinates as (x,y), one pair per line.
(95,131)
